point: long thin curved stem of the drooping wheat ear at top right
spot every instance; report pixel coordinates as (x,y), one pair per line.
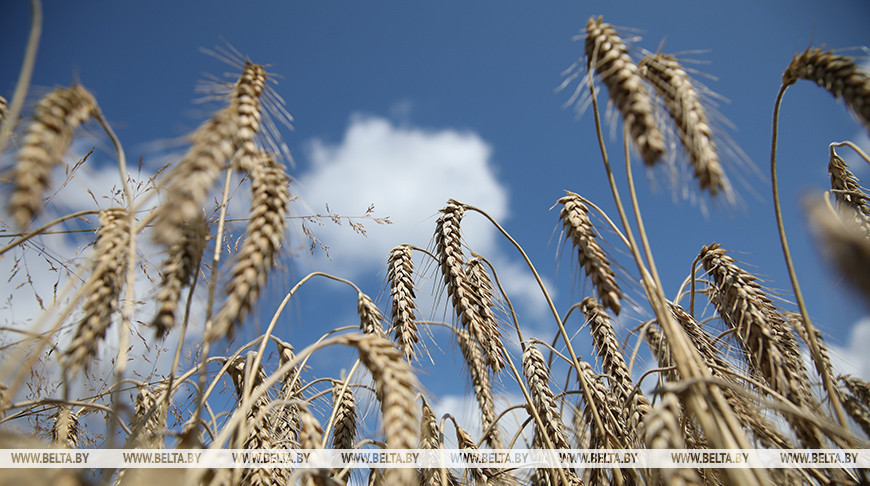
(815,351)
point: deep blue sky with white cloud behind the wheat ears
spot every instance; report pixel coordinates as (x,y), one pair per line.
(404,104)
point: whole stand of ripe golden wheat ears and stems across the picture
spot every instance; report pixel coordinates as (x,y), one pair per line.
(731,367)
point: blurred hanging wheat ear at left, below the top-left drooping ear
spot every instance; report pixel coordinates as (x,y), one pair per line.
(106,282)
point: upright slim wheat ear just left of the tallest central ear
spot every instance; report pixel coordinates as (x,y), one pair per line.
(399,274)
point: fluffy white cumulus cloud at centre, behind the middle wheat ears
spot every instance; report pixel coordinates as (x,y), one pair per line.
(408,174)
